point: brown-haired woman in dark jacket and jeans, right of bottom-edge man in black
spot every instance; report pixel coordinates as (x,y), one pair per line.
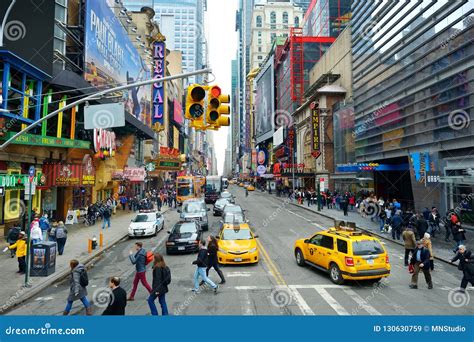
(161,280)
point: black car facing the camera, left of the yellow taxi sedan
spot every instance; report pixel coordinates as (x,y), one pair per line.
(184,237)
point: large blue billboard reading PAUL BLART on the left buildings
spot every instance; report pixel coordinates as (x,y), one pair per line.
(111,59)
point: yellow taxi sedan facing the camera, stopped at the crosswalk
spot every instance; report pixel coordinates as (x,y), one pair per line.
(236,242)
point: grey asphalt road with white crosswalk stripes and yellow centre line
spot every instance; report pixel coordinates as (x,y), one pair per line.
(275,286)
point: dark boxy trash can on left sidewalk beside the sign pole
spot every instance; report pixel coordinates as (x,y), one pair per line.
(43,259)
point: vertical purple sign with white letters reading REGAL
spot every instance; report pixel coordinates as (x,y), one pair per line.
(159,51)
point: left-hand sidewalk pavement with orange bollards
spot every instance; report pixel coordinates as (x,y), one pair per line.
(13,292)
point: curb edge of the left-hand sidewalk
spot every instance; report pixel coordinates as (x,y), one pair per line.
(63,274)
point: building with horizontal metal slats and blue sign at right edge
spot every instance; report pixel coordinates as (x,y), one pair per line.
(413,99)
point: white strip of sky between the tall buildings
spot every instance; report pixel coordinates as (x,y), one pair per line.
(222,42)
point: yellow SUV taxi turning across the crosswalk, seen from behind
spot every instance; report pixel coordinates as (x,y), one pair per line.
(345,253)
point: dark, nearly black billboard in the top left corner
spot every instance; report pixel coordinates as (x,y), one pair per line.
(28,31)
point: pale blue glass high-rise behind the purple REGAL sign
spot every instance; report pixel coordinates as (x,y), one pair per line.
(182,23)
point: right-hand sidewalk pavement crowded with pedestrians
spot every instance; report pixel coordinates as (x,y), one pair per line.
(442,250)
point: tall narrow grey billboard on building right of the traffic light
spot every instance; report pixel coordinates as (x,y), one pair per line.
(264,104)
